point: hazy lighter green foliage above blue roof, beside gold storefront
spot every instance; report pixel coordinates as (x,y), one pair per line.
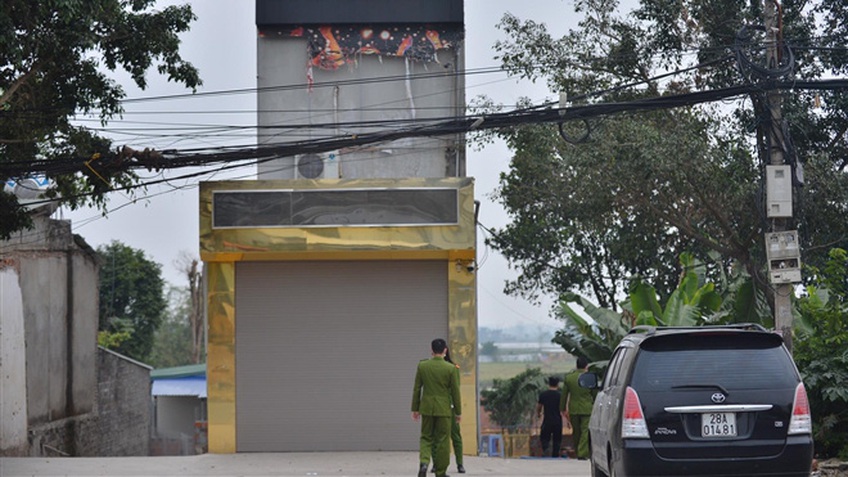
(172,340)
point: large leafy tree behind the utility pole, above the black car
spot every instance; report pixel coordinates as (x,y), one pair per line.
(597,202)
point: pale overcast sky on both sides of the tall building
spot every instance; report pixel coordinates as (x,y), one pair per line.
(163,221)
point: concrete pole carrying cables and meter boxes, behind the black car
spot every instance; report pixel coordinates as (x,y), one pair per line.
(783,287)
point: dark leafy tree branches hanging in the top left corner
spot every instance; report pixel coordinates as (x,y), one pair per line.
(53,55)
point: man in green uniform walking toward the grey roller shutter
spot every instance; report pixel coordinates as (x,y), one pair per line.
(436,387)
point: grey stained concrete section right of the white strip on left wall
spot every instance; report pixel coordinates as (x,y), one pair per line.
(58,281)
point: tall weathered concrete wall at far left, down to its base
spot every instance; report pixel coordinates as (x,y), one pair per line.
(57,278)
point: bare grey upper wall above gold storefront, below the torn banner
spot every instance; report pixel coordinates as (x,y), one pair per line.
(346,96)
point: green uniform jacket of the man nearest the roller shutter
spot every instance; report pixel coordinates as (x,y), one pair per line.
(436,386)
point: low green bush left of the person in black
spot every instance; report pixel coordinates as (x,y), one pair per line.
(511,402)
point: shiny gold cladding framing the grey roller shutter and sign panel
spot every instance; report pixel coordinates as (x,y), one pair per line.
(220,249)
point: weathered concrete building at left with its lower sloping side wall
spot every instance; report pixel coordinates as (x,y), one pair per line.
(59,393)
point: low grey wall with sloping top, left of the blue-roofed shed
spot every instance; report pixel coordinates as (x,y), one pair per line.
(124,406)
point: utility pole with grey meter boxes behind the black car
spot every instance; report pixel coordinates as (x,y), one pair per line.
(782,245)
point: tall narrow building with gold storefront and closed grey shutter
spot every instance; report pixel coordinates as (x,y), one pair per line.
(328,277)
